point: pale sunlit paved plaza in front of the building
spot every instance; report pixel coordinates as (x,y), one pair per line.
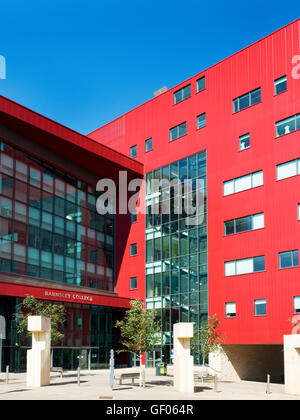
(94,385)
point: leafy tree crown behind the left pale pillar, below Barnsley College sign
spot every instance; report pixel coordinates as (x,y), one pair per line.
(31,307)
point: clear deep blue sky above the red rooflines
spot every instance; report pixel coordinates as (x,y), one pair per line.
(84,63)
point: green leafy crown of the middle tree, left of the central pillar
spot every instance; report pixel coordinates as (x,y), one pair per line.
(139,330)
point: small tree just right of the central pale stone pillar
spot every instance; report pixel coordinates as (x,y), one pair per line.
(208,337)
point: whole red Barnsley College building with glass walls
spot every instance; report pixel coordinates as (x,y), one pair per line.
(234,127)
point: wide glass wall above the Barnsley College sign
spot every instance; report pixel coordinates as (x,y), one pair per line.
(49,227)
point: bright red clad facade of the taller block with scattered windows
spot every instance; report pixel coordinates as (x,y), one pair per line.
(242,106)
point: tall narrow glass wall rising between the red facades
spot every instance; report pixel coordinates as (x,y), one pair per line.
(176,251)
